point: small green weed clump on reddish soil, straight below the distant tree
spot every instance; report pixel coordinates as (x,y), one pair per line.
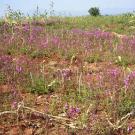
(93,58)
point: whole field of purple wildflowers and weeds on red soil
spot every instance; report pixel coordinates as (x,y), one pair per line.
(67,76)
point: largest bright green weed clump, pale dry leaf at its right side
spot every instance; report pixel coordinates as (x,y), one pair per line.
(41,86)
